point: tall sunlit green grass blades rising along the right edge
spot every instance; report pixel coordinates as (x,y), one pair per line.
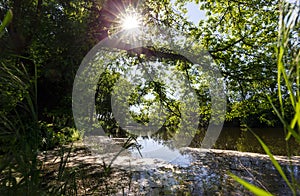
(288,64)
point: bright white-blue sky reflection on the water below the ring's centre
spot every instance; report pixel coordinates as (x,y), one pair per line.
(150,148)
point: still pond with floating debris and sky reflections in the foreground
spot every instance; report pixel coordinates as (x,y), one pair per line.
(163,170)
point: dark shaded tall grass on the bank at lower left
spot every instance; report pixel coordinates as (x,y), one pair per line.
(22,137)
